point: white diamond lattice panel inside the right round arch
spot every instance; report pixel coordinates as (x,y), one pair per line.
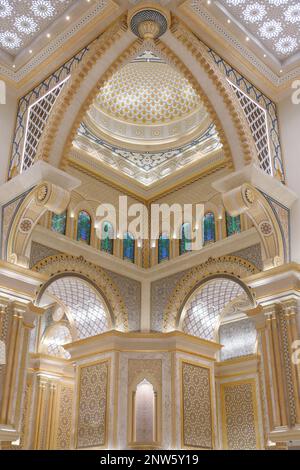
(204,309)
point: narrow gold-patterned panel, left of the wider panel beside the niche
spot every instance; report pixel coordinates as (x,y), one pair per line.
(64,427)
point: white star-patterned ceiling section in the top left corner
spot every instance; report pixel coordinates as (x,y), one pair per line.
(22,21)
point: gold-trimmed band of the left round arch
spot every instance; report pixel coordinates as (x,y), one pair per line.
(64,265)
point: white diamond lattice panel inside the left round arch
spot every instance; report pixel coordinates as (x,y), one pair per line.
(84,304)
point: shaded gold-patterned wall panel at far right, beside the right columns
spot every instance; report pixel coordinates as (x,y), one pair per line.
(239,415)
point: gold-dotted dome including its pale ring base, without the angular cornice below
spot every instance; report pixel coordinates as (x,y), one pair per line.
(147,104)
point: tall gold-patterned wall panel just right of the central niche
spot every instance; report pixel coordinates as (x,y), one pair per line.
(197,428)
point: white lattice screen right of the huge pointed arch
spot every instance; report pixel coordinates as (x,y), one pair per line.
(257,120)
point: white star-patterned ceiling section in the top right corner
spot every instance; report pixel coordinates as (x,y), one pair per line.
(274,23)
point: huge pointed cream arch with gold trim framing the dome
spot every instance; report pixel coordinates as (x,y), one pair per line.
(121,45)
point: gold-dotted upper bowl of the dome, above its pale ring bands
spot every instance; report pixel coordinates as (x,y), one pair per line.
(148,93)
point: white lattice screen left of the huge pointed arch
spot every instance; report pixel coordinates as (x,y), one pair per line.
(38,114)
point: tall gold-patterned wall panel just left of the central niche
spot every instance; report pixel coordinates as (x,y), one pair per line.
(92,408)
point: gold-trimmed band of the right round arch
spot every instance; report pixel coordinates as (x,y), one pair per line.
(226,266)
